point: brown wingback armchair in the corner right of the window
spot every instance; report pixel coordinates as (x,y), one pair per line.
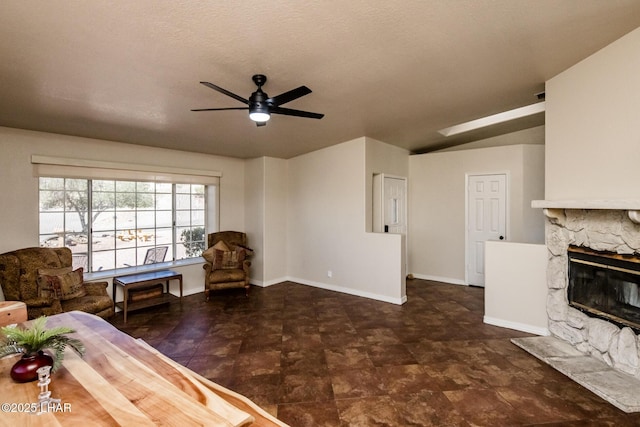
(227,265)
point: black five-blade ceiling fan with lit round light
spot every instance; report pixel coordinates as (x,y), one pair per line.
(259,104)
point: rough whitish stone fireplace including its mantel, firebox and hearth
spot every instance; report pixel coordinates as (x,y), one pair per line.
(597,350)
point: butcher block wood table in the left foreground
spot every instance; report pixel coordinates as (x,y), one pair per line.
(122,381)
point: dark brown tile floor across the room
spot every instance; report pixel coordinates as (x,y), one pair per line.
(319,358)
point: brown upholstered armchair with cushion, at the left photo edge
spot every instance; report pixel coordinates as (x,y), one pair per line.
(43,279)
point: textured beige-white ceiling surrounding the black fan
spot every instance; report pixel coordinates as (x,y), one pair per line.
(393,70)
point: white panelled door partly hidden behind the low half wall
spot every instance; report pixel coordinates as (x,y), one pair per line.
(486,220)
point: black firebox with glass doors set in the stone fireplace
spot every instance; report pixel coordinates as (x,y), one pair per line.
(605,285)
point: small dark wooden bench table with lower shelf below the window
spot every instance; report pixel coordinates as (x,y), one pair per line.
(140,280)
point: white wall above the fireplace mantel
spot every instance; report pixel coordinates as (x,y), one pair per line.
(592,126)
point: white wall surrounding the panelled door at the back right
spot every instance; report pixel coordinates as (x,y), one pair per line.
(437,202)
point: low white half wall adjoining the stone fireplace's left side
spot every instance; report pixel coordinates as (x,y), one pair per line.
(515,294)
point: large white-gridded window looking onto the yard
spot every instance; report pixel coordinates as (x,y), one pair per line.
(110,224)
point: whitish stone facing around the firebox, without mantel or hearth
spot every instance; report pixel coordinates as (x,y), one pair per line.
(602,230)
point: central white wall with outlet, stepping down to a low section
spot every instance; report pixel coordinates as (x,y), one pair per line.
(326,227)
